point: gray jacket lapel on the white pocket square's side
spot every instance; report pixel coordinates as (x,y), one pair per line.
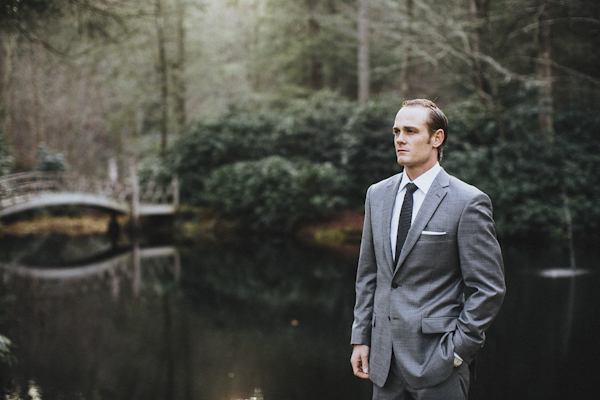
(432,200)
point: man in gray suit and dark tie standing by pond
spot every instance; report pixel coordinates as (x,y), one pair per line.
(426,236)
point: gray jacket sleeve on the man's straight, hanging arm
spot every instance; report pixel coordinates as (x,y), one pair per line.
(366,281)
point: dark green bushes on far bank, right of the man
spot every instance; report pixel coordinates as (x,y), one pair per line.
(526,177)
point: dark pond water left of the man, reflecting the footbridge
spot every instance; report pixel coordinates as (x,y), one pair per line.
(248,318)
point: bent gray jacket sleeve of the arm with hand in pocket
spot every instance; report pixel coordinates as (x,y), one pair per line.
(483,271)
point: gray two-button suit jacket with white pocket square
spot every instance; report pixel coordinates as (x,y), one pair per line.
(417,307)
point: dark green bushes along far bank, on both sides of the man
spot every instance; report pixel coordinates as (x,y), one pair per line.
(257,166)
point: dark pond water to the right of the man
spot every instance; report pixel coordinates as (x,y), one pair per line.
(543,344)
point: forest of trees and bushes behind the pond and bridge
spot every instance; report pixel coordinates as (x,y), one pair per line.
(277,112)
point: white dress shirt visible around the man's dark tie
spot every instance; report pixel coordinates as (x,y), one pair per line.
(423,183)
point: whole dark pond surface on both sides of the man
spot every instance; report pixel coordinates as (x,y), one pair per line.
(258,318)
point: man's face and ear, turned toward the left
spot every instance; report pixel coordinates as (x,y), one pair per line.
(416,149)
